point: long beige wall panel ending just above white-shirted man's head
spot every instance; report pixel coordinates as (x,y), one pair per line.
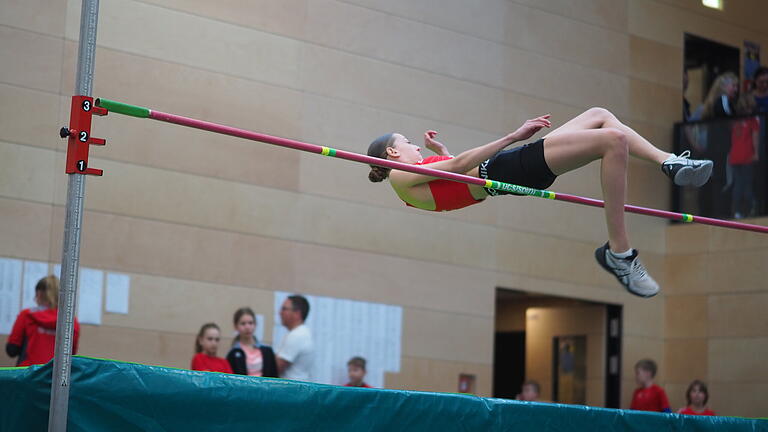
(156,248)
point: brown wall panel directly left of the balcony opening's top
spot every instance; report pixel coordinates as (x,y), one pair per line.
(656,62)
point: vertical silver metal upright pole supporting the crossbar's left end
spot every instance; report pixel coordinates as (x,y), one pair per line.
(70,264)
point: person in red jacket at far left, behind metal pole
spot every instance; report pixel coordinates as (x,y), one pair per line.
(33,338)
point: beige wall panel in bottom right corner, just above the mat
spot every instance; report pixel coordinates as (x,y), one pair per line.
(749,403)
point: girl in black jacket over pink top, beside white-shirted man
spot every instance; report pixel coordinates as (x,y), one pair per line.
(247,356)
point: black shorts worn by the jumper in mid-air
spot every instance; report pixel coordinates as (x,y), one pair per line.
(523,166)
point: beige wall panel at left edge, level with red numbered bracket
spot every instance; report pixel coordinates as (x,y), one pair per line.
(18,125)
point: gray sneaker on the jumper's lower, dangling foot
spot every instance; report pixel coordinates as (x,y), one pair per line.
(629,271)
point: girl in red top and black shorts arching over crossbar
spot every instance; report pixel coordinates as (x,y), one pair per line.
(595,134)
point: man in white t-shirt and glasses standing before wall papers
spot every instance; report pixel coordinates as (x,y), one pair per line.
(294,357)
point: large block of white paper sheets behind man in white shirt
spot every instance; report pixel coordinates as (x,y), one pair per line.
(342,329)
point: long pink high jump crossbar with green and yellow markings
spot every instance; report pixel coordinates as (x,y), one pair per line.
(142,112)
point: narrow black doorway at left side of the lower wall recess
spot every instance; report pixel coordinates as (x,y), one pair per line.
(508,364)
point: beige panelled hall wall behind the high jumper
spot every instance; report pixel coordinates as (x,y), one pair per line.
(221,222)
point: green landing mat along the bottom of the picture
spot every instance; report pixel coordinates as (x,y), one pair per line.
(115,396)
